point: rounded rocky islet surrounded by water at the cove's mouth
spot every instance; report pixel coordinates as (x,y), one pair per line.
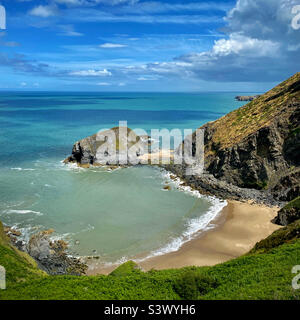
(110,147)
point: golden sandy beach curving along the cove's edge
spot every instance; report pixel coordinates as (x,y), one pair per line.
(236,230)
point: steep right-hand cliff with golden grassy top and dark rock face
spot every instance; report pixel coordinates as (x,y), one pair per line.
(256,146)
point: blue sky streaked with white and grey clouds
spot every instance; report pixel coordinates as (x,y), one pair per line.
(144,45)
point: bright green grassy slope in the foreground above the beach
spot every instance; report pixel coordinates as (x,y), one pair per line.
(262,274)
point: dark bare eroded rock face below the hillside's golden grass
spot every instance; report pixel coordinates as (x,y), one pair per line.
(264,159)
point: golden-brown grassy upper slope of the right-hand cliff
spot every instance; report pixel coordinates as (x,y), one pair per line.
(240,123)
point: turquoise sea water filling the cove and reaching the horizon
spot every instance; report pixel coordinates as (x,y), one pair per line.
(116,214)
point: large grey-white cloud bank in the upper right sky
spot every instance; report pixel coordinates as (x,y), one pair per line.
(260,46)
